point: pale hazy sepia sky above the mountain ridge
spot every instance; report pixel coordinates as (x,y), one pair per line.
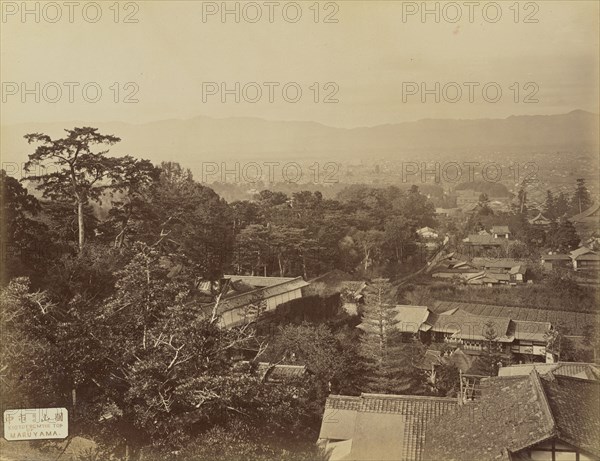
(371,55)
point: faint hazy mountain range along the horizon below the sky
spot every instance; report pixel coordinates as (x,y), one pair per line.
(204,139)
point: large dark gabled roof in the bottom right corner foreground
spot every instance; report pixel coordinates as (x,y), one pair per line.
(516,413)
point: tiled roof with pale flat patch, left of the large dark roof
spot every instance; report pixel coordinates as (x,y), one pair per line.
(381,427)
